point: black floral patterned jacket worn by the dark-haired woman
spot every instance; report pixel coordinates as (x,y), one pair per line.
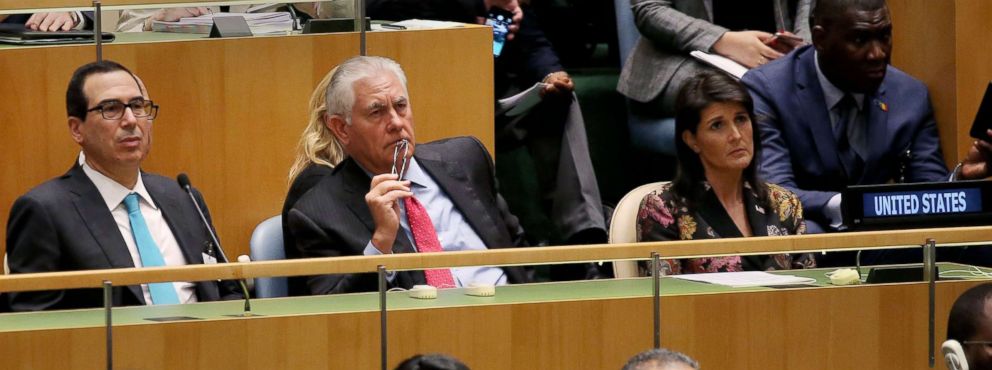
(664,216)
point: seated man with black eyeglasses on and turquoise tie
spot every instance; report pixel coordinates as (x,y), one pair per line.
(105,212)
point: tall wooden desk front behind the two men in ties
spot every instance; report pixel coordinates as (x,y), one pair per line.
(233,109)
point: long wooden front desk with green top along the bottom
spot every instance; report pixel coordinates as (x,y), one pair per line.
(581,325)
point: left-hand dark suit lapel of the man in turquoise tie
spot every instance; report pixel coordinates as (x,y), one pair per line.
(94,214)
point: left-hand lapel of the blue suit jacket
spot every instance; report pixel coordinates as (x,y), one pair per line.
(811,95)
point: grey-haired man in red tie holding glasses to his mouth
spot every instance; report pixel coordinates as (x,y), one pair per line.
(444,200)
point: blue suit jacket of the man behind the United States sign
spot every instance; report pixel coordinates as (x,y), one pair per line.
(798,146)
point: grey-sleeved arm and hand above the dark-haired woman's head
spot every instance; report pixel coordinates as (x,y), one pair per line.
(661,23)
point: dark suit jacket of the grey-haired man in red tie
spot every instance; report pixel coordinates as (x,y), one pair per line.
(332,219)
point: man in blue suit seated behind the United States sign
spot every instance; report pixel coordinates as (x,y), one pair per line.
(836,114)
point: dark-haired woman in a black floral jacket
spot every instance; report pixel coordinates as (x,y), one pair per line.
(716,192)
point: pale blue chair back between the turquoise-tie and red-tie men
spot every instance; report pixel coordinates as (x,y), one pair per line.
(266,245)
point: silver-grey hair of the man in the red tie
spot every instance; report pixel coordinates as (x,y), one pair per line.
(340,96)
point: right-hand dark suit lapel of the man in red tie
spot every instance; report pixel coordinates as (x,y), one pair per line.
(456,185)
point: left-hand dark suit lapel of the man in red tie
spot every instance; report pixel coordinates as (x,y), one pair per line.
(356,184)
